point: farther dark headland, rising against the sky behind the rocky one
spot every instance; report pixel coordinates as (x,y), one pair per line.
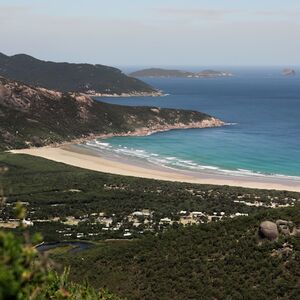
(70,77)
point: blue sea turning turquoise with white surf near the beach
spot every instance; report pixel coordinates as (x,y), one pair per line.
(263,105)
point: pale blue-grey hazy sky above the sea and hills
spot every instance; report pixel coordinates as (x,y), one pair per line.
(154,32)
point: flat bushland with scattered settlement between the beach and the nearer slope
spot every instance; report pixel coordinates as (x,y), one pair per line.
(53,192)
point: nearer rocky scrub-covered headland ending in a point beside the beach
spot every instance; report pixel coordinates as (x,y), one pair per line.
(37,116)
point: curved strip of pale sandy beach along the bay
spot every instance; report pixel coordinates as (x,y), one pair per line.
(80,157)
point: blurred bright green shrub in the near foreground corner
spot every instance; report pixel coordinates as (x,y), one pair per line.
(26,274)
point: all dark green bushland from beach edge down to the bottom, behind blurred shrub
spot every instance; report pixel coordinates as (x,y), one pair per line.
(217,260)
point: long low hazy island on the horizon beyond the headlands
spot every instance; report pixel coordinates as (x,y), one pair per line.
(157,72)
